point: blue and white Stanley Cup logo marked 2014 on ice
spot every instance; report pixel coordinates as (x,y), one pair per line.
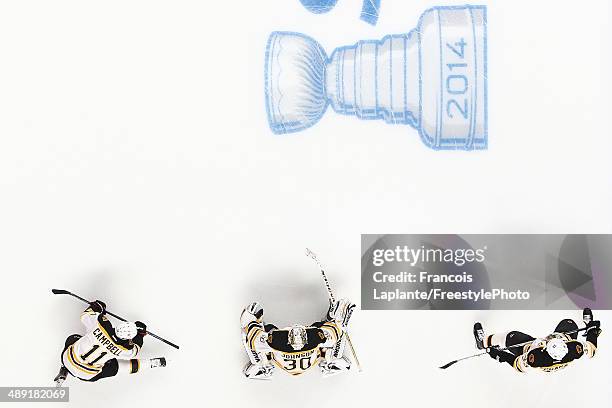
(433,78)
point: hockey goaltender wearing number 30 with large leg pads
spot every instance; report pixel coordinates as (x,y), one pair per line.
(297,348)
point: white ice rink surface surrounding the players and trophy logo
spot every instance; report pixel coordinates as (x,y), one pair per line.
(136,166)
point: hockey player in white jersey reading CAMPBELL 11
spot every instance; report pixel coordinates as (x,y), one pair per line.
(104,350)
